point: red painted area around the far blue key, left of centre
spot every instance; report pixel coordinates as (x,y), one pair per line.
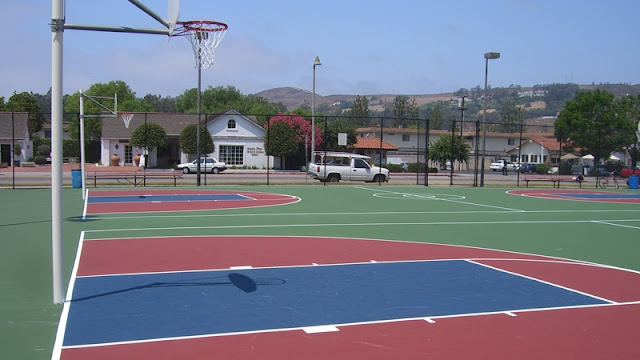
(250,199)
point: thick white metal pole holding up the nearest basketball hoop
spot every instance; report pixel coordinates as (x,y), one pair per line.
(57,30)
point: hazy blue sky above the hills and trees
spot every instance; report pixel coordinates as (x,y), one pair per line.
(366,47)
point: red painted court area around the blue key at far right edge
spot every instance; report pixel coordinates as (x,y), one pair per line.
(581,195)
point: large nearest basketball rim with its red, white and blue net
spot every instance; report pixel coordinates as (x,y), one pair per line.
(204,37)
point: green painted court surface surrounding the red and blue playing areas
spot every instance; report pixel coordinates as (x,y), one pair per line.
(604,233)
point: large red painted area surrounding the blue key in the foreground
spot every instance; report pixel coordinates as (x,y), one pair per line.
(590,332)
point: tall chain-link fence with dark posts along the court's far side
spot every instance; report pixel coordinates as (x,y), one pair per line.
(457,153)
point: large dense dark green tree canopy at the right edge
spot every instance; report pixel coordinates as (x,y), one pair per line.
(597,123)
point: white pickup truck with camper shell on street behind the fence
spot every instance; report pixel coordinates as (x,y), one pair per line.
(336,166)
